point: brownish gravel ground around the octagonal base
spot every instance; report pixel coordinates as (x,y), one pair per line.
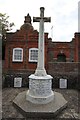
(9,111)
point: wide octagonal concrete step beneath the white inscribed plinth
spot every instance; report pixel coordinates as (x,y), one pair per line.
(49,110)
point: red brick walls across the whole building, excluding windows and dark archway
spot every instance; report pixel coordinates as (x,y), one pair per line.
(27,39)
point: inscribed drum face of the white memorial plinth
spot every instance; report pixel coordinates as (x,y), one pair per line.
(40,87)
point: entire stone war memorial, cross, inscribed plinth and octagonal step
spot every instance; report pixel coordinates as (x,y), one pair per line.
(40,101)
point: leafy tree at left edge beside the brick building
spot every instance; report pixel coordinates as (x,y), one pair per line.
(5,26)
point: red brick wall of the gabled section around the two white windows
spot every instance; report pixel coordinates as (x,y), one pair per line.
(24,40)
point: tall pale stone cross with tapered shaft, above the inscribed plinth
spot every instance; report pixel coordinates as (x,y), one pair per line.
(40,71)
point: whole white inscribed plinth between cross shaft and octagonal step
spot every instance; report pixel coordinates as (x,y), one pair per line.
(40,89)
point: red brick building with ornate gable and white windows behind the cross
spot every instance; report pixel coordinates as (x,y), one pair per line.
(21,52)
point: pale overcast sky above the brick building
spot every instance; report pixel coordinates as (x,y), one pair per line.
(63,13)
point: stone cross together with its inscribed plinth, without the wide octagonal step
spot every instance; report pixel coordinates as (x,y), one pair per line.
(40,84)
